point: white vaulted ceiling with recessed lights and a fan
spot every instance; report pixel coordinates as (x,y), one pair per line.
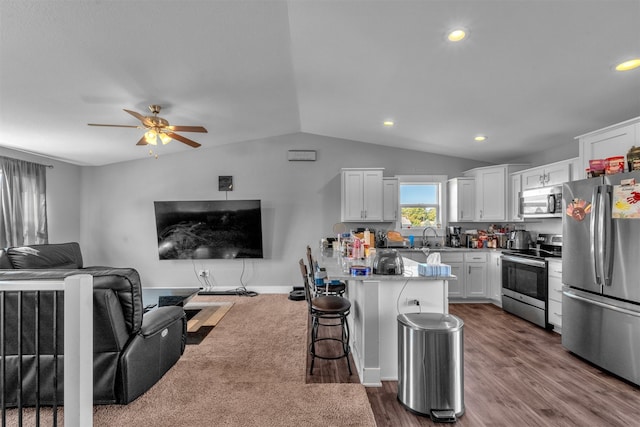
(531,75)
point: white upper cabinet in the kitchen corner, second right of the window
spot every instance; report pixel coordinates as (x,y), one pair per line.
(492,191)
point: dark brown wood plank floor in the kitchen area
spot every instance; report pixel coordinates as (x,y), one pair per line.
(515,374)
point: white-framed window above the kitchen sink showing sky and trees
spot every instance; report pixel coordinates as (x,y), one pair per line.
(421,201)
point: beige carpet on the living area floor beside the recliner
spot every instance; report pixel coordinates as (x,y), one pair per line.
(249,371)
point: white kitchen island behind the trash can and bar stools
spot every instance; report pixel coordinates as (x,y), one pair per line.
(376,301)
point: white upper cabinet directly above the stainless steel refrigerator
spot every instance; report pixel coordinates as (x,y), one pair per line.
(611,141)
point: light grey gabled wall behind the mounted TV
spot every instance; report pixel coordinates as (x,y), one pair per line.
(300,203)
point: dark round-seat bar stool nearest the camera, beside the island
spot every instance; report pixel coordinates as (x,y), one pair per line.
(328,308)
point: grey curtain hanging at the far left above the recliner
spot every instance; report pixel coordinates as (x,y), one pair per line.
(23,205)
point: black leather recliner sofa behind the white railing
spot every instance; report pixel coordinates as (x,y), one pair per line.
(132,350)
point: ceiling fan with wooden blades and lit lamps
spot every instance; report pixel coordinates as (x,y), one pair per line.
(159,129)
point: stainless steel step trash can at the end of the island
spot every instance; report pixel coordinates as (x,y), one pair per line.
(430,365)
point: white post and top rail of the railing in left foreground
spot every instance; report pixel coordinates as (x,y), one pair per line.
(78,341)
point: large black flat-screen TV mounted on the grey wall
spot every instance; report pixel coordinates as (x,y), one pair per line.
(209,229)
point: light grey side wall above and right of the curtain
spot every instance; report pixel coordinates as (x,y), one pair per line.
(63,196)
